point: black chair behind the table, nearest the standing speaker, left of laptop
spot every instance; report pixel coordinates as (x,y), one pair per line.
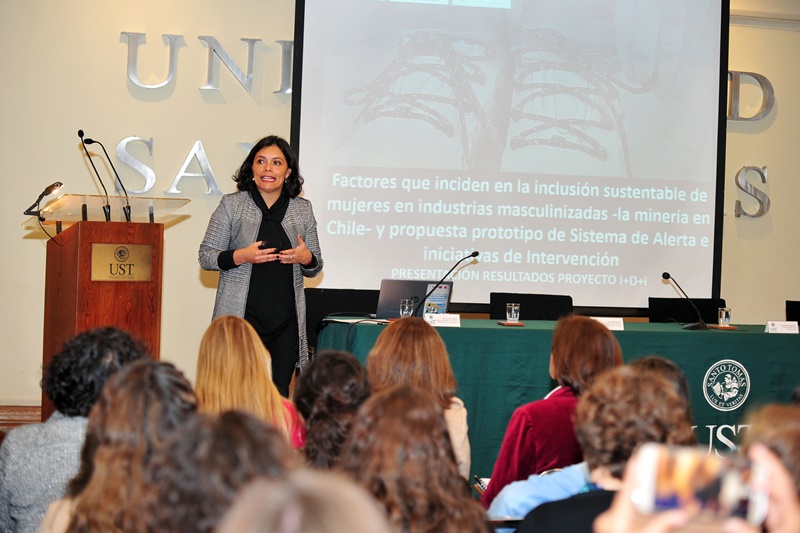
(322,302)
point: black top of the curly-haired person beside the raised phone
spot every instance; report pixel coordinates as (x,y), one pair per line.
(575,514)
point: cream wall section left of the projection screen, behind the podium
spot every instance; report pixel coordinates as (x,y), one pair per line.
(63,69)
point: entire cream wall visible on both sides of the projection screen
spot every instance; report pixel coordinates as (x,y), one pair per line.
(64,69)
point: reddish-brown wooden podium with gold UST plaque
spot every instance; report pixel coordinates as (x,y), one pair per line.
(102,274)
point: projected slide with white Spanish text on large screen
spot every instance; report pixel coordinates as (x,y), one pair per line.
(572,143)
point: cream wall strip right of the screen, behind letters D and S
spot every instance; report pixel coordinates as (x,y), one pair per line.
(760,256)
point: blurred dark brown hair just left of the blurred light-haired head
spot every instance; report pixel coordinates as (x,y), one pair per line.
(194,478)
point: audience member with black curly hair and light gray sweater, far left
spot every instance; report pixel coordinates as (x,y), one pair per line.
(38,460)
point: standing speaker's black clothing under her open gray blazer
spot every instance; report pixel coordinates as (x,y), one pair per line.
(270,299)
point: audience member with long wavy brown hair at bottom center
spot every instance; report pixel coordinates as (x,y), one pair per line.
(400,451)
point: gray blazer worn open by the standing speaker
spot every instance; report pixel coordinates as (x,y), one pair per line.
(233,225)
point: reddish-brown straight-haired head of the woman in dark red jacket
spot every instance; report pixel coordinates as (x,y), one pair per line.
(582,348)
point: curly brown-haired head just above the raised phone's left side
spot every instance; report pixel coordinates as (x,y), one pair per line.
(625,407)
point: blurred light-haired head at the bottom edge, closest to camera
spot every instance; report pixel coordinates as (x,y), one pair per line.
(307,502)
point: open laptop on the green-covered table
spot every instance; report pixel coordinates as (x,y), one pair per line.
(394,290)
